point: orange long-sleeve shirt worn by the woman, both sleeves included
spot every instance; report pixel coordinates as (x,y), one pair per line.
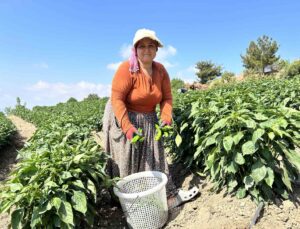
(140,93)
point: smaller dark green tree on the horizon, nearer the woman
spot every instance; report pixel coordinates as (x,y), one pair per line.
(207,71)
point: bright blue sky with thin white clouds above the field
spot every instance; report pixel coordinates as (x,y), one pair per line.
(51,50)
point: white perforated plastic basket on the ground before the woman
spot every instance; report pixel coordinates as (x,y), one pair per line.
(143,199)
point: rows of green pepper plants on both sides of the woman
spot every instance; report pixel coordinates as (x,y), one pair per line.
(245,137)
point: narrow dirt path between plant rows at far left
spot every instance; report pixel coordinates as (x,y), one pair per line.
(8,155)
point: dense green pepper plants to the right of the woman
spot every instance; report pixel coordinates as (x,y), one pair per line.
(244,136)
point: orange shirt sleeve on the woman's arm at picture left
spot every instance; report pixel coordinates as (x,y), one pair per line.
(121,86)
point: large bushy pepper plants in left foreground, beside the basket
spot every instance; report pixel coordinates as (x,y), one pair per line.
(57,181)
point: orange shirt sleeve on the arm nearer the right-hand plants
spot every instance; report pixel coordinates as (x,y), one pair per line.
(166,103)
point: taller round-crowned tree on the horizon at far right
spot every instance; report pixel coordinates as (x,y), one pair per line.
(260,54)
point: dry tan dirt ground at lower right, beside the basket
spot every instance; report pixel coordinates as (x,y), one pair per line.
(212,210)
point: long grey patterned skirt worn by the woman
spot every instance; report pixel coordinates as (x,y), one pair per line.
(127,158)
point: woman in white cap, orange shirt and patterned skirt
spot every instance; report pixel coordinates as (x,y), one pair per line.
(137,87)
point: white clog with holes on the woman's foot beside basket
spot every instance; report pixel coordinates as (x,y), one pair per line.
(182,197)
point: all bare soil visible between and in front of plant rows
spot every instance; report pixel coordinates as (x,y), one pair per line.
(207,210)
